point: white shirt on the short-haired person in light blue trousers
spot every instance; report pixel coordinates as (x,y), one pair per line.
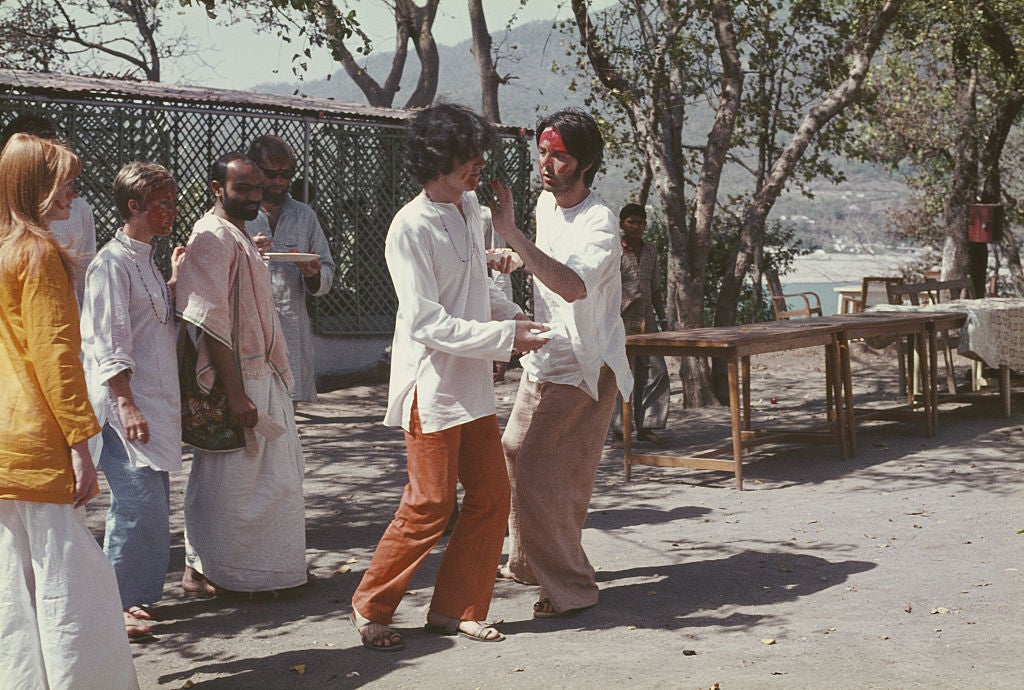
(129,326)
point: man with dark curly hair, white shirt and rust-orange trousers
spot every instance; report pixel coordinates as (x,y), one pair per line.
(446,338)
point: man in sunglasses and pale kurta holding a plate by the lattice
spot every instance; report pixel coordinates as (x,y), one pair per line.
(287,227)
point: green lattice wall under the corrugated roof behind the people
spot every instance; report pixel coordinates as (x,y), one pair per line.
(358,170)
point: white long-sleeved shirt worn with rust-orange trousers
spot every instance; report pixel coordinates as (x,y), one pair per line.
(445,339)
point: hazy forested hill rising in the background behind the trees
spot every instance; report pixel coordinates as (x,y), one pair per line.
(850,218)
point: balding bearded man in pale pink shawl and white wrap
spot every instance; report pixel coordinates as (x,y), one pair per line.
(245,525)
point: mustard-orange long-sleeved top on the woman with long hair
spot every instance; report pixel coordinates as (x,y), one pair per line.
(45,408)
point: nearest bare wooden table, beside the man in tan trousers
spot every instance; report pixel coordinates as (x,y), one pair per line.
(737,346)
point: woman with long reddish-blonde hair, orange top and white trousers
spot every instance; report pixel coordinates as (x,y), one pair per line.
(60,612)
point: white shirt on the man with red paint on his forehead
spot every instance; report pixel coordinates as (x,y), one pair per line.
(589,332)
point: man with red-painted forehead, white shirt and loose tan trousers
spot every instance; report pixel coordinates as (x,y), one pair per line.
(556,435)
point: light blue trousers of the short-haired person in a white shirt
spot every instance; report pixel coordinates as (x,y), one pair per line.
(139,539)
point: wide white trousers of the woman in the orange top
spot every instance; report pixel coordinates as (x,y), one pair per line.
(61,619)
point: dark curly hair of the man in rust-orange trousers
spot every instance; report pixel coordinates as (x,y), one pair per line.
(443,137)
